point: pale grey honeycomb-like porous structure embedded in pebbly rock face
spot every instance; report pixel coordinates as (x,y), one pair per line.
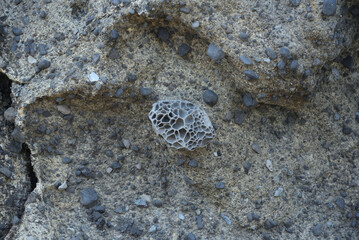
(181,123)
